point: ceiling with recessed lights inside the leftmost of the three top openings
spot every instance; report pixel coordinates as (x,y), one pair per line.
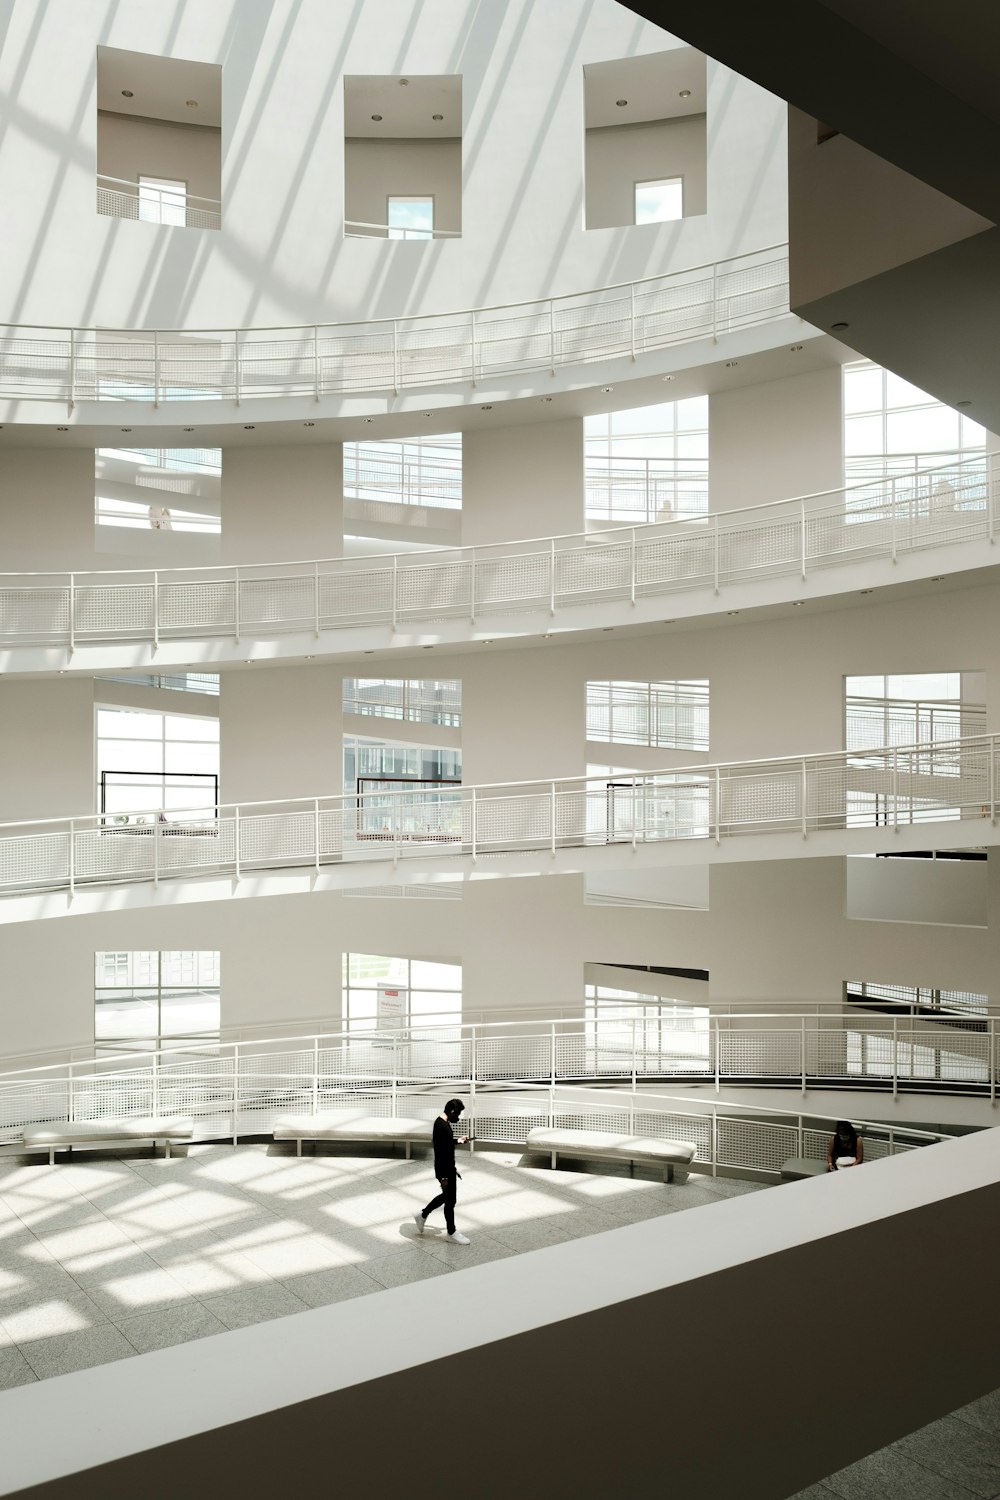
(161,88)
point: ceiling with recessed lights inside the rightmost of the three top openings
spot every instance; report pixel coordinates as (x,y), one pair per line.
(651,85)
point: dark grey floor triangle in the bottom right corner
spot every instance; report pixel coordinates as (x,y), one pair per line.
(954,1459)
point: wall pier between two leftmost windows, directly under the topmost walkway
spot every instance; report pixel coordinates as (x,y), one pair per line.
(283,503)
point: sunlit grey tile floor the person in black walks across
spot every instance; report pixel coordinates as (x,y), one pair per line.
(103,1258)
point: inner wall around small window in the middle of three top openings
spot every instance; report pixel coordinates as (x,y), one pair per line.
(376,170)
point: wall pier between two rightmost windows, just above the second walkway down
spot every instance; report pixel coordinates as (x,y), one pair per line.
(776,440)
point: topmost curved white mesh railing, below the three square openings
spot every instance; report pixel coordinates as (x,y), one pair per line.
(395,355)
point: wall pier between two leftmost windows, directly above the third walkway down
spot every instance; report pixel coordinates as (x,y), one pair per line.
(281,733)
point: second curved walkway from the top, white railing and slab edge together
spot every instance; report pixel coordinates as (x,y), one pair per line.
(573,583)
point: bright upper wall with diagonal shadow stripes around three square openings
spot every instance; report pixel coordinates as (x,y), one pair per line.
(281,257)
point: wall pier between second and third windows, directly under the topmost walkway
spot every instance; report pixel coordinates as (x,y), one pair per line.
(522,482)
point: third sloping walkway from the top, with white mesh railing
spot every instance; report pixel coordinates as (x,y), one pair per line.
(897,799)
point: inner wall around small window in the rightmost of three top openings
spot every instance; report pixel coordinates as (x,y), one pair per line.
(620,157)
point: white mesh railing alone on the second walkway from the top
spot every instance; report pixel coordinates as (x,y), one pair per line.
(548,577)
